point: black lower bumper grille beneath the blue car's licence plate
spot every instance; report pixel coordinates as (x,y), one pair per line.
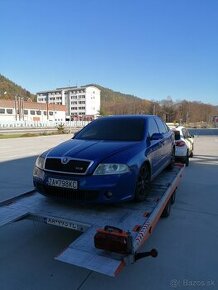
(66,194)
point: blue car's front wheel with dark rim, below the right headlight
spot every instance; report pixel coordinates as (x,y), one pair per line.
(143,183)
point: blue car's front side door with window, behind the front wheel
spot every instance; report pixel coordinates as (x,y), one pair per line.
(154,150)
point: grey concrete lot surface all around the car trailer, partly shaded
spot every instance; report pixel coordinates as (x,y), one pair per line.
(187,241)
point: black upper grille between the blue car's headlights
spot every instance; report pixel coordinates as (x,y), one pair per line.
(73,166)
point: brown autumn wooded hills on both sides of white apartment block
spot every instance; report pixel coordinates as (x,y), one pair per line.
(114,103)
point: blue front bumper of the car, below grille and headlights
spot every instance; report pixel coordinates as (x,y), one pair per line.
(91,189)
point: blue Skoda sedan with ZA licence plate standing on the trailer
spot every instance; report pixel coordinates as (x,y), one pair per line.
(112,159)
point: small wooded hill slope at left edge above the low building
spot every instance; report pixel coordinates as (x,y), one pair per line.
(8,90)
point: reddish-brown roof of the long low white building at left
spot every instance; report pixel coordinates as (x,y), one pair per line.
(32,105)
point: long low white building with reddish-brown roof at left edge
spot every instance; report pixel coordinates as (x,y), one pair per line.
(20,110)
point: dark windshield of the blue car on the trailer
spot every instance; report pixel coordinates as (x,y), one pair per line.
(117,129)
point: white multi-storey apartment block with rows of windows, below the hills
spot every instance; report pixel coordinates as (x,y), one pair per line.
(82,102)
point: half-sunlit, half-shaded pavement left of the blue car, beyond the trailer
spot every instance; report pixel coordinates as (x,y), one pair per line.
(17,158)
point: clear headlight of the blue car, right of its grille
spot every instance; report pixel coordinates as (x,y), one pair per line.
(111,168)
